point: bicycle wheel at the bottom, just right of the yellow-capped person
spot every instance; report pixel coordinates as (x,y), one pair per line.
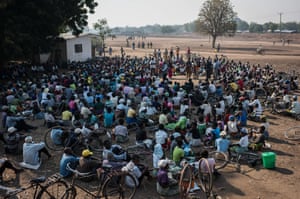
(119,185)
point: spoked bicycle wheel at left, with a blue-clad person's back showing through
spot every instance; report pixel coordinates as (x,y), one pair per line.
(51,137)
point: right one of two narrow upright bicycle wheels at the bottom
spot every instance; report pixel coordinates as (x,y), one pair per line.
(205,176)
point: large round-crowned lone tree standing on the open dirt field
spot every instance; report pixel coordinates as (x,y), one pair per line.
(217,18)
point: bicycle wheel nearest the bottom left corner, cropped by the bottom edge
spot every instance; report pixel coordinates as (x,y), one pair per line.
(56,190)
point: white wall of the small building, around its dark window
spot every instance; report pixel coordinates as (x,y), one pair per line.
(86,53)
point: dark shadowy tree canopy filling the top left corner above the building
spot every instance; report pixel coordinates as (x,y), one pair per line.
(27,27)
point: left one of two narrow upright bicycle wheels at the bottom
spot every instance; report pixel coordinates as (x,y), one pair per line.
(186,181)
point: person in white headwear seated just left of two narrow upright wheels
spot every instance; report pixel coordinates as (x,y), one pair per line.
(165,186)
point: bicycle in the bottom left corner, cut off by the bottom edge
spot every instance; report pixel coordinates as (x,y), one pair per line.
(50,187)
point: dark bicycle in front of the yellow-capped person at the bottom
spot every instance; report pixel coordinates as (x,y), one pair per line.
(112,184)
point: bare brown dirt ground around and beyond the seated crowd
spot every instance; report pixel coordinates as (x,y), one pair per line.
(259,183)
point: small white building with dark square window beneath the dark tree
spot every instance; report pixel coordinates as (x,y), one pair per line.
(71,48)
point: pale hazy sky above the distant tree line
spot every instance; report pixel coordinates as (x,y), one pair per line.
(170,12)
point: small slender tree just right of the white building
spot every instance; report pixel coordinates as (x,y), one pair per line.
(104,31)
